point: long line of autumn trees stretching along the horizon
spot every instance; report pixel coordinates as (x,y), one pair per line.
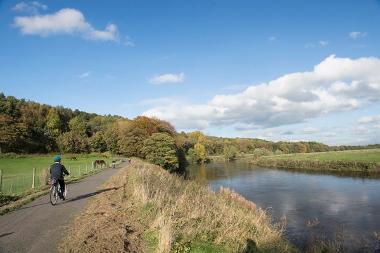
(30,127)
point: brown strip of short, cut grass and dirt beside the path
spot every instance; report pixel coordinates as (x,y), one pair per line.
(109,223)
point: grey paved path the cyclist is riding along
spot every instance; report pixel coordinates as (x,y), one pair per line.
(38,226)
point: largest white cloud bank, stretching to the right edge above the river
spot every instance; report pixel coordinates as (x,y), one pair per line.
(334,85)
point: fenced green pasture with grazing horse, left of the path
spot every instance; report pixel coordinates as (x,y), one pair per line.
(17,170)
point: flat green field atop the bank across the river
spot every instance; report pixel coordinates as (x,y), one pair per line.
(366,155)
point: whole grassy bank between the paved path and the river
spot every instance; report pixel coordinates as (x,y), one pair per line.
(145,209)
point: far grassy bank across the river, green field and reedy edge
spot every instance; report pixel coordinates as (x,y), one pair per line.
(362,161)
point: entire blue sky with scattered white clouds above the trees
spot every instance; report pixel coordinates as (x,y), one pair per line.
(217,66)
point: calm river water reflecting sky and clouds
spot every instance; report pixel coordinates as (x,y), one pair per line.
(345,206)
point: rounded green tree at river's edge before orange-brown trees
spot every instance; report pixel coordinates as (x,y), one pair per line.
(160,149)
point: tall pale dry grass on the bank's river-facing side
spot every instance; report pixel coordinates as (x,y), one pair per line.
(184,210)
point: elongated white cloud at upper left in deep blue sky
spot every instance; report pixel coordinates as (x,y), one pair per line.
(65,21)
